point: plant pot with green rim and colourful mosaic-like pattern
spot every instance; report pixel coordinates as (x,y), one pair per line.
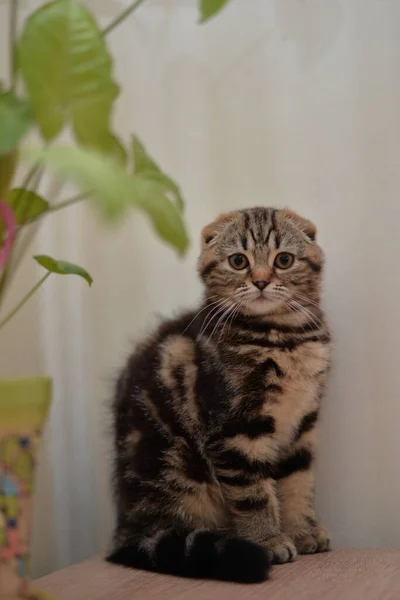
(24,405)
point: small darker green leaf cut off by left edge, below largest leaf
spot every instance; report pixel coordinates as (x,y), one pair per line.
(16,117)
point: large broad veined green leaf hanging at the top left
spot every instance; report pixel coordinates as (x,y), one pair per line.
(67,71)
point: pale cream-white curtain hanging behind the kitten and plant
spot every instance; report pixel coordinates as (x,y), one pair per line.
(274,102)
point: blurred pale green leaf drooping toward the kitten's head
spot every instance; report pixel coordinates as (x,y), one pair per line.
(115,191)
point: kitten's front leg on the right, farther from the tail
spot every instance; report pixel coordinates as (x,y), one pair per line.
(296,492)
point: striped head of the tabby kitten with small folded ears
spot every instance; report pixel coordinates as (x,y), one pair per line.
(261,261)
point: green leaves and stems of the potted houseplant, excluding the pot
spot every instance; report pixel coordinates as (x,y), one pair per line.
(63,66)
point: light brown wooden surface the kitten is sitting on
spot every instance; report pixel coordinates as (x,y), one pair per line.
(338,575)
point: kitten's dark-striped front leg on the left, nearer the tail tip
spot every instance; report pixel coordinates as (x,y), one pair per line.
(251,497)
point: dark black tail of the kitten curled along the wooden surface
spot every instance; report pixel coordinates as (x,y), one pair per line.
(200,554)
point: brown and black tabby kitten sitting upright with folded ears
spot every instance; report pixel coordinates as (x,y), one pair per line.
(215,415)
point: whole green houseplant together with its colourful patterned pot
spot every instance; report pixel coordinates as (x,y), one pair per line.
(60,78)
